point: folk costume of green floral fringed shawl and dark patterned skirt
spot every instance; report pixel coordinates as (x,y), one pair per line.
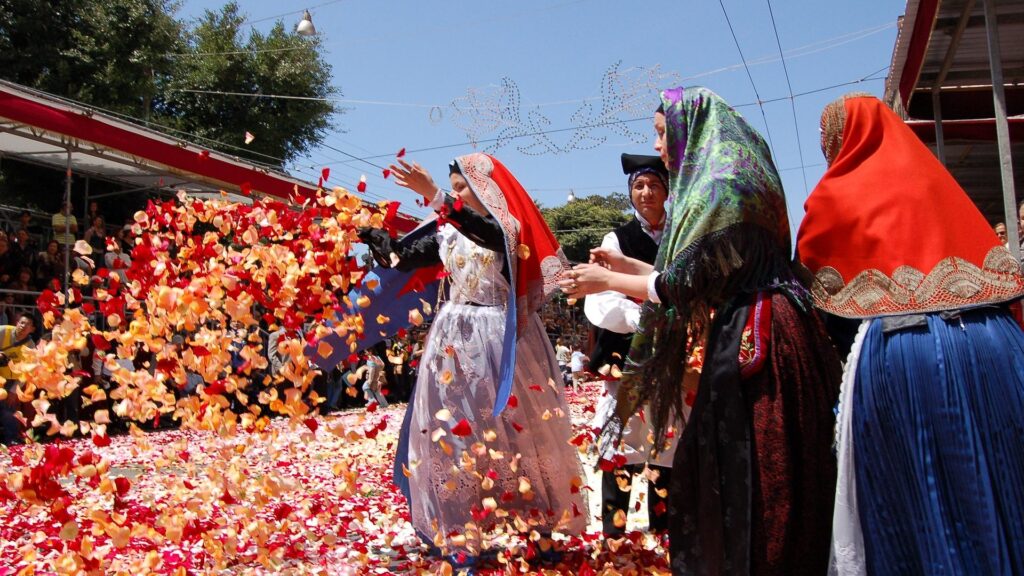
(754,477)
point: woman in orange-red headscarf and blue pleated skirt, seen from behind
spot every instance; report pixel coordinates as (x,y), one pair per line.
(931,461)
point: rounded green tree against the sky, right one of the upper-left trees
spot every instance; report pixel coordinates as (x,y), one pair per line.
(223,58)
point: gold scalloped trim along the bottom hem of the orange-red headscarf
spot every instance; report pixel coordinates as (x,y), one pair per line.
(952,284)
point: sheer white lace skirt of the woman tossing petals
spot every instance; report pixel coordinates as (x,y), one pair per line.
(515,473)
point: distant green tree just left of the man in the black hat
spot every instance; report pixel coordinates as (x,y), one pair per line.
(581,225)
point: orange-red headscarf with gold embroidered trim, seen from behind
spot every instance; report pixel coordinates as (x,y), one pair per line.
(889,231)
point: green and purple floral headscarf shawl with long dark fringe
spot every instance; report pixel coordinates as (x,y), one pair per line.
(728,235)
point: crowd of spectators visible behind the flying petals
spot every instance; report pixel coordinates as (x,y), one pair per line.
(34,258)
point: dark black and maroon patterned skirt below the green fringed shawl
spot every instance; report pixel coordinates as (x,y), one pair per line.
(754,478)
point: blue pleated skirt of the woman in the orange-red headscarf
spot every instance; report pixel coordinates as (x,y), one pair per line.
(938,425)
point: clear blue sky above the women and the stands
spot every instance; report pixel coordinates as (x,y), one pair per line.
(402,66)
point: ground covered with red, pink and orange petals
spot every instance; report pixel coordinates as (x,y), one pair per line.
(314,498)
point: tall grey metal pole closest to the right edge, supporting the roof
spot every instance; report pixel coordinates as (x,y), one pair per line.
(1003,131)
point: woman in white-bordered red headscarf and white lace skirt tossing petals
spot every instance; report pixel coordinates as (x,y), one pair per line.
(489,423)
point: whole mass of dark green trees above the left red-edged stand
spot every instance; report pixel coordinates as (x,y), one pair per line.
(137,59)
